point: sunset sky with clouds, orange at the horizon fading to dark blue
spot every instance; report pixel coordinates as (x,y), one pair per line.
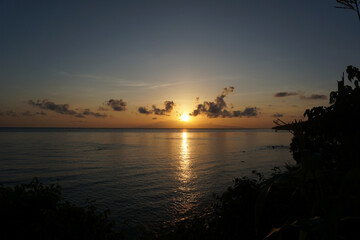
(134,64)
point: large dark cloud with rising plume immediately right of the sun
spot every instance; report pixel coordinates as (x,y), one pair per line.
(218,108)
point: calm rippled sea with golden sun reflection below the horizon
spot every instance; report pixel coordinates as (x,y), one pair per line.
(147,176)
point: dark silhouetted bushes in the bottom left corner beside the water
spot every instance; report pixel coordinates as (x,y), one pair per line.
(35,211)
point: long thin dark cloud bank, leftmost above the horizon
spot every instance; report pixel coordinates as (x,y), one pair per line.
(62,109)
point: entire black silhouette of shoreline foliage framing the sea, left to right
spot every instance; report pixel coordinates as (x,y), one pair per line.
(318,198)
